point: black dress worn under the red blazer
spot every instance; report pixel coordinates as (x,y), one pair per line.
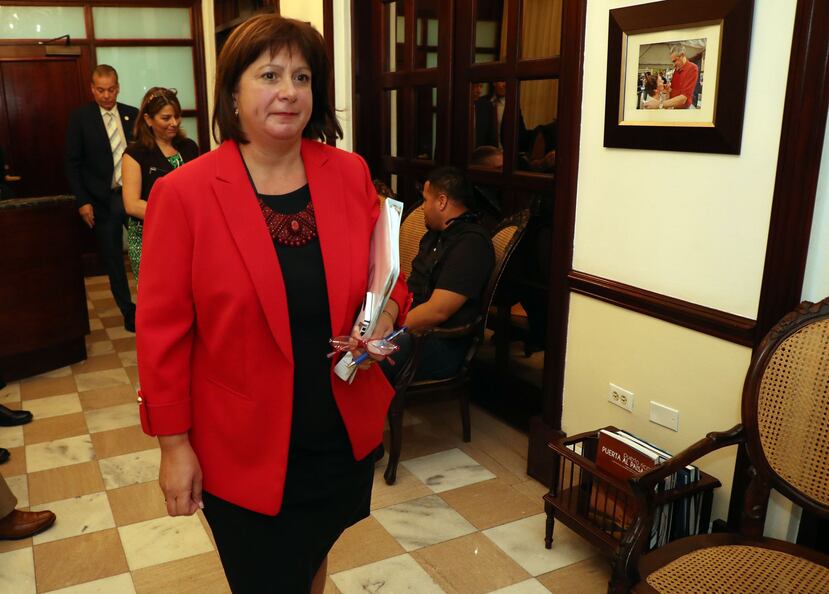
(326,490)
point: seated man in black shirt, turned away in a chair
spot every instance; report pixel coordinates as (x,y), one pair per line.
(449,274)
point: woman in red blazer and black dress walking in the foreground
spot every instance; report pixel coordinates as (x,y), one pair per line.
(254,255)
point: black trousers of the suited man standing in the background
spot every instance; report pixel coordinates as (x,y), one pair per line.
(108,224)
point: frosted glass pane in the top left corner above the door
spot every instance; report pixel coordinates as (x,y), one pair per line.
(41,22)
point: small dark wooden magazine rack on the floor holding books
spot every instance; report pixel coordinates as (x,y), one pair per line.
(602,508)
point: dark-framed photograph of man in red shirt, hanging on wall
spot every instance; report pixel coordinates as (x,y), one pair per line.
(676,75)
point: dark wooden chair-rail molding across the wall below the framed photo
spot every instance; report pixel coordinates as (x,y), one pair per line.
(676,311)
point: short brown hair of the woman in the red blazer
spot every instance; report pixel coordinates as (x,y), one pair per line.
(270,32)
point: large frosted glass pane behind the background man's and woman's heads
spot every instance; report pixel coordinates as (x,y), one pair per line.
(140,68)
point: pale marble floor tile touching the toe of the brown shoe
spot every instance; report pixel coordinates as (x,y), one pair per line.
(76,516)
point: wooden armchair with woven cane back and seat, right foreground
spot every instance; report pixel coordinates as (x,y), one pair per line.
(785,433)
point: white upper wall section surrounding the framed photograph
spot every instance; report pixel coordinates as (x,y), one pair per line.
(692,226)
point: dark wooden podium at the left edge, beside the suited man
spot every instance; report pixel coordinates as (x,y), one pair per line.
(43,314)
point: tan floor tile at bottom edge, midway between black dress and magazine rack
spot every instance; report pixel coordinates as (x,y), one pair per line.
(471,565)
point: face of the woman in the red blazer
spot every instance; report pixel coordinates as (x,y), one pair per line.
(274,97)
